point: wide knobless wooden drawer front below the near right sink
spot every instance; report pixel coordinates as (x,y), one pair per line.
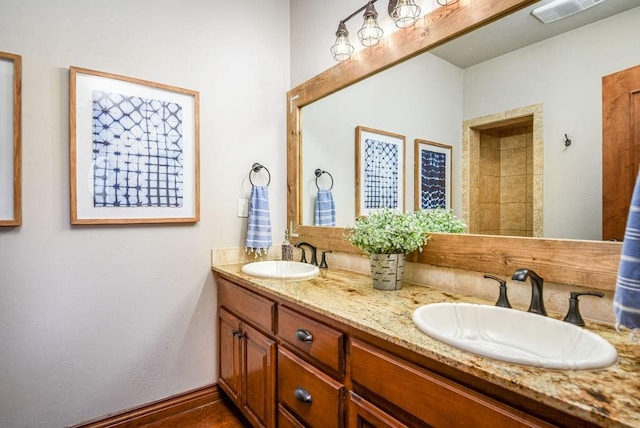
(431,398)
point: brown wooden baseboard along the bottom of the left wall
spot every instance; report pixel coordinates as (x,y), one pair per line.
(157,410)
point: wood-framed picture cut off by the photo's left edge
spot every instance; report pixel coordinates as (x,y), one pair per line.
(10,139)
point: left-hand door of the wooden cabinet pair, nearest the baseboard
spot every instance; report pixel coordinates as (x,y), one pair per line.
(229,354)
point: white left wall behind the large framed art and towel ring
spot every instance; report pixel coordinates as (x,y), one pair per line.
(97,319)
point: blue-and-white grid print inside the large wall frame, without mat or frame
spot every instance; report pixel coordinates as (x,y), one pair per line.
(137,151)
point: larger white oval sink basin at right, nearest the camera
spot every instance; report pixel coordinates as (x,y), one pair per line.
(515,336)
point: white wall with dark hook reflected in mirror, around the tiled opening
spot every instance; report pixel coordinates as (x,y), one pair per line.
(565,74)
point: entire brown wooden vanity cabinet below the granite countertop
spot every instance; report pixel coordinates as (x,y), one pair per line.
(288,366)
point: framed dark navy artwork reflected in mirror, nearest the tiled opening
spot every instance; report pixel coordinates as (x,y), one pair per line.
(432,175)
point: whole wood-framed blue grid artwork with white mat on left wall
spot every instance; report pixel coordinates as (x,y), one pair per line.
(134,150)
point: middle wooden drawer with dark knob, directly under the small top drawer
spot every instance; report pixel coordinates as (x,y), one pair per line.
(313,397)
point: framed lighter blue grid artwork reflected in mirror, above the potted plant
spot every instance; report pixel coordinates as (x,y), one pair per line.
(380,170)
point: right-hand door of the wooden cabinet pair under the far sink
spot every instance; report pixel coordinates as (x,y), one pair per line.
(259,367)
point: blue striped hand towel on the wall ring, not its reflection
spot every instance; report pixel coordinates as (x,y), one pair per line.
(259,222)
